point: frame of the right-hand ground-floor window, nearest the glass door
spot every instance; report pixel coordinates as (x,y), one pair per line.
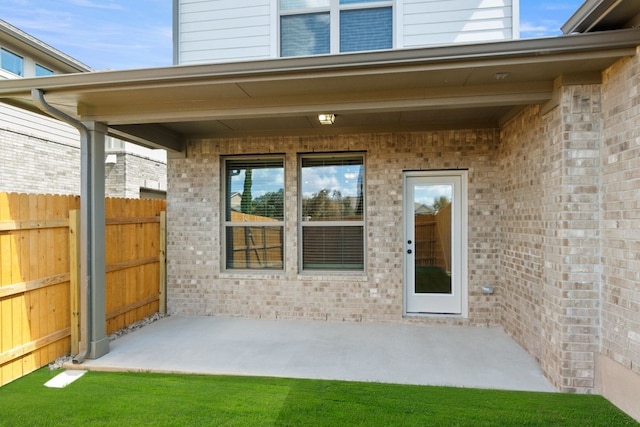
(360,223)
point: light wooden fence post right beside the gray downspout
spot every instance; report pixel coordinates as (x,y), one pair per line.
(74,279)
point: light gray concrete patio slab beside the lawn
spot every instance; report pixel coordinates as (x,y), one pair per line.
(374,352)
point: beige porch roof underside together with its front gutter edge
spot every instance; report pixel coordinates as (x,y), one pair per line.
(445,87)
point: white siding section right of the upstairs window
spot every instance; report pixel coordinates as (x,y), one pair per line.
(437,22)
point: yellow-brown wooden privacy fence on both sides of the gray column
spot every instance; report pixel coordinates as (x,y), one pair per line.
(39,262)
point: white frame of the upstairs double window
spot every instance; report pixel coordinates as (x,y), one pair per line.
(334,8)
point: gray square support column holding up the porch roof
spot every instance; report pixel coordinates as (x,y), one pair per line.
(92,209)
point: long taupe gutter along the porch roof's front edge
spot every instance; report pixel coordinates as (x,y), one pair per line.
(613,43)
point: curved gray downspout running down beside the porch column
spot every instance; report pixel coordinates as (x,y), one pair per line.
(41,103)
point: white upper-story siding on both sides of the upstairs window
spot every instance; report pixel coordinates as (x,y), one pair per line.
(233,30)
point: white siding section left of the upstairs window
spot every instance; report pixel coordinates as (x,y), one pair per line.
(224,30)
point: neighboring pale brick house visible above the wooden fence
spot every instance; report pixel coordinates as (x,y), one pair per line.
(42,155)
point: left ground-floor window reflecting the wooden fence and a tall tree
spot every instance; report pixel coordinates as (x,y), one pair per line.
(254,213)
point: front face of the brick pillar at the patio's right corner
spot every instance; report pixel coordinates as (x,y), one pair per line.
(575,248)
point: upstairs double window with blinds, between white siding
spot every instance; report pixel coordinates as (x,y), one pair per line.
(314,27)
